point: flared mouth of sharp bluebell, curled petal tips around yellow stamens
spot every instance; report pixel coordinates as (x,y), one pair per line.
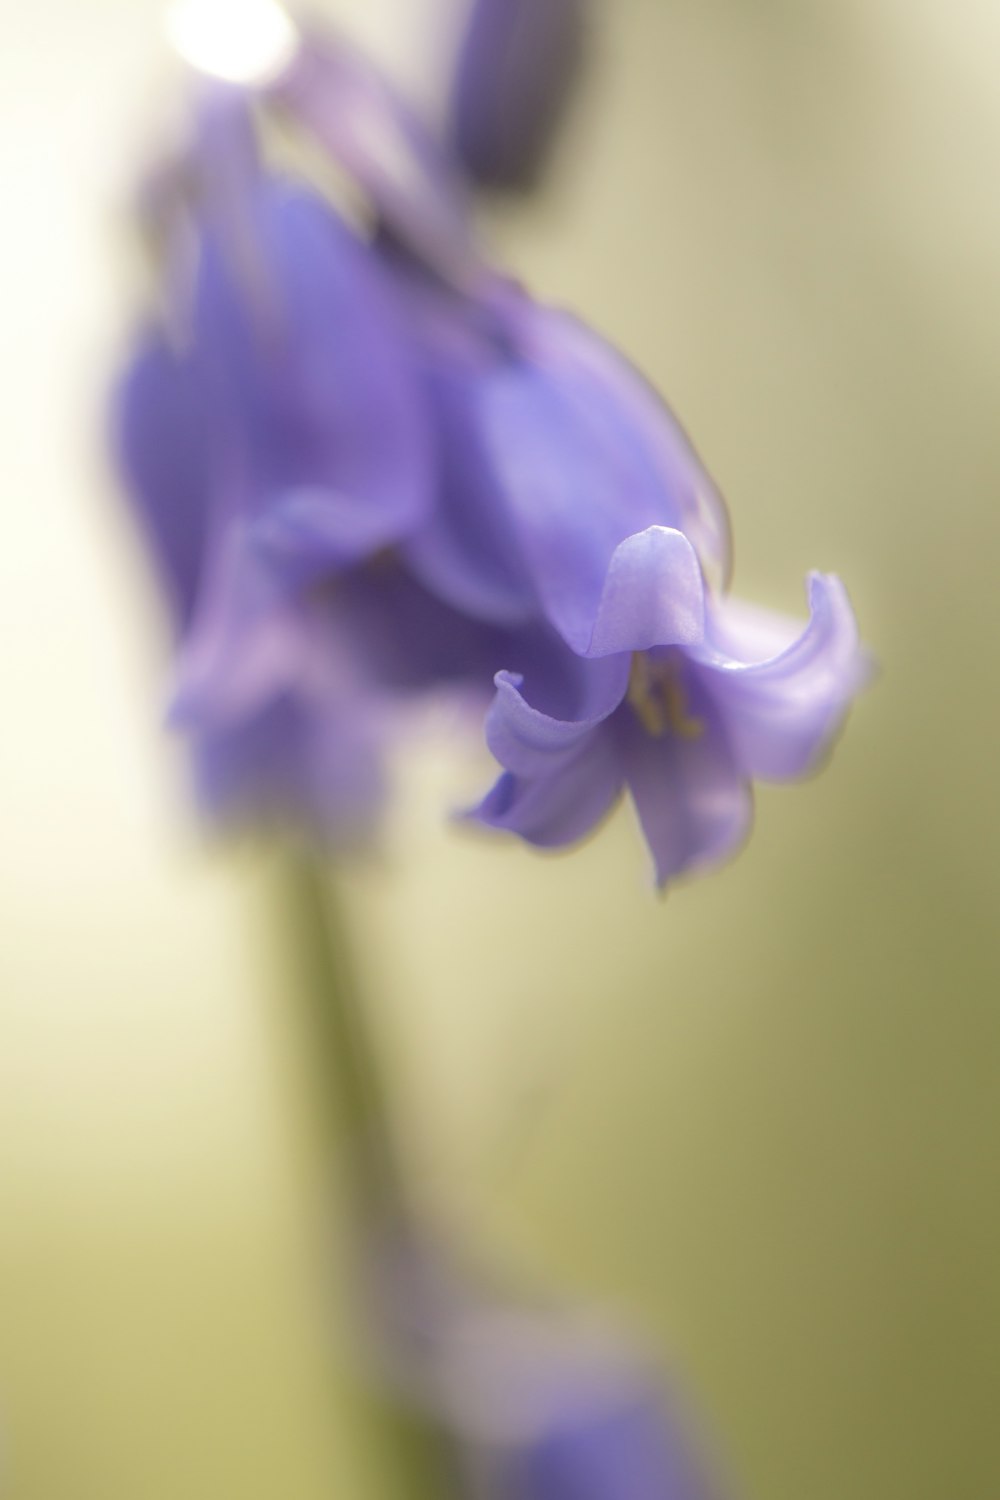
(684,703)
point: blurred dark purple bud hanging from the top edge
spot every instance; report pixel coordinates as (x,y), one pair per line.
(516,71)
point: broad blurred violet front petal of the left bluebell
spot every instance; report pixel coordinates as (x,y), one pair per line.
(311,380)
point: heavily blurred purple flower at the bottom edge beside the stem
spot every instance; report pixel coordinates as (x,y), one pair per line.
(543,1402)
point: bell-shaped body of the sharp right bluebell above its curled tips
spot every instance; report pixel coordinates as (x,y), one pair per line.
(551,454)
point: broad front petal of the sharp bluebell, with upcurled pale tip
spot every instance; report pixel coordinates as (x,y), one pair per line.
(582,469)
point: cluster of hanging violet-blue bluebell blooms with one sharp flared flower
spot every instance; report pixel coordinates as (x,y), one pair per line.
(371,467)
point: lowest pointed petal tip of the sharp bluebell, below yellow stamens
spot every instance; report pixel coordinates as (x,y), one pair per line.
(693,803)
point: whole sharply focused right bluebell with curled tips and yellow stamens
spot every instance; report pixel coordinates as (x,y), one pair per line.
(666,686)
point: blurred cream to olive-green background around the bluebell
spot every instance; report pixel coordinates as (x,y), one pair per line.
(761,1120)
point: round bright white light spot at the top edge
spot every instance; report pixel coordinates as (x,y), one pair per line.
(242,41)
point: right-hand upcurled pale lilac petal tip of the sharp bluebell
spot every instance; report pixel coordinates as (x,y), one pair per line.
(783,710)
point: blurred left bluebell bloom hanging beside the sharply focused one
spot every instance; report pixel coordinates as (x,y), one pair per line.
(275,446)
